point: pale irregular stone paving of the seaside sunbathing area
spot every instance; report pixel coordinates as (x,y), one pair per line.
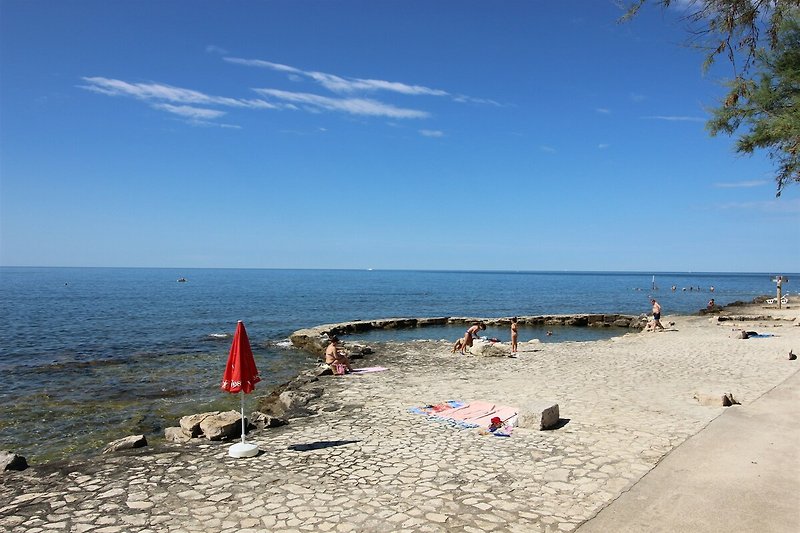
(365,463)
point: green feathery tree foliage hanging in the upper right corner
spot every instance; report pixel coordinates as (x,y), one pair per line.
(762,104)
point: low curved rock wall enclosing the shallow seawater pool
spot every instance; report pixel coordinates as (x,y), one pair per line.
(315,339)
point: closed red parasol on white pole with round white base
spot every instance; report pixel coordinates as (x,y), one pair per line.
(241,375)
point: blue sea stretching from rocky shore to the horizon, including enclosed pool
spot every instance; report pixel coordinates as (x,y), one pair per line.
(94,354)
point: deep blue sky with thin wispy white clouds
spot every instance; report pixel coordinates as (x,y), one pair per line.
(513,135)
